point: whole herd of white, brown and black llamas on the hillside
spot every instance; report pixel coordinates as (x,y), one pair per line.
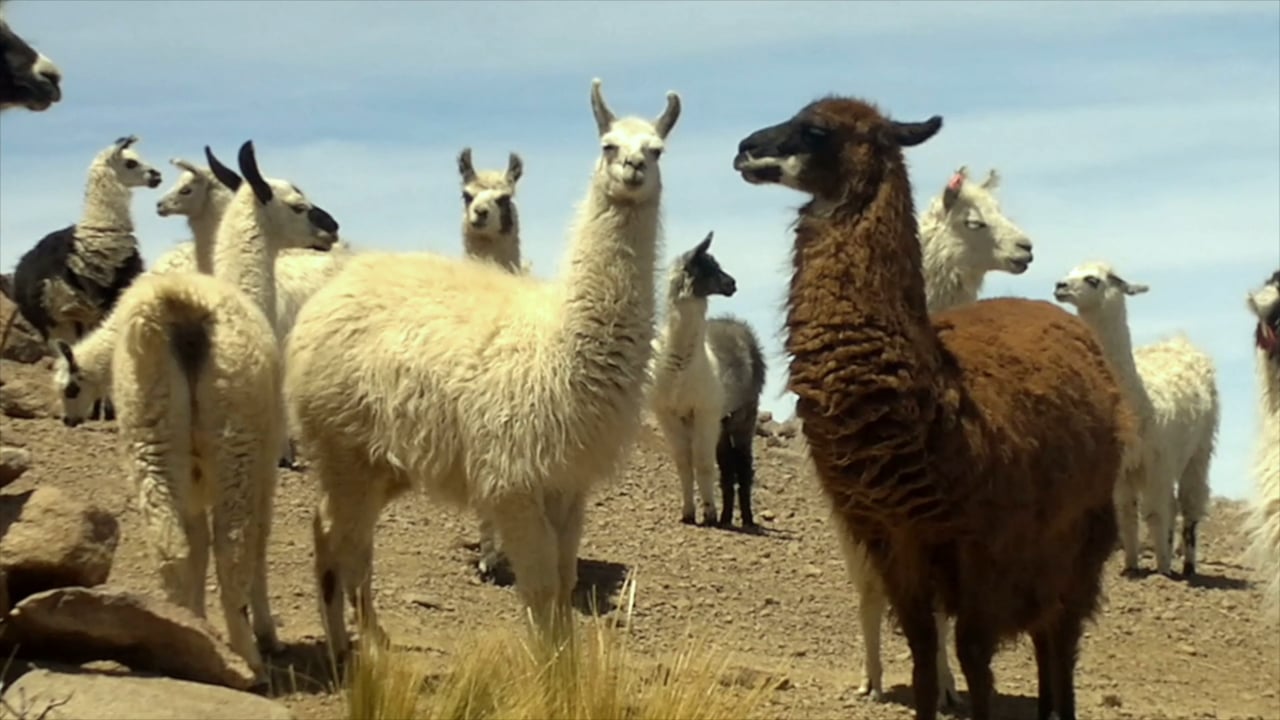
(982,459)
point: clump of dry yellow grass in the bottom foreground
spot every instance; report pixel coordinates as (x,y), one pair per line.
(514,675)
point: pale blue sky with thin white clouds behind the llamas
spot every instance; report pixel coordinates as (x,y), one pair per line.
(1142,134)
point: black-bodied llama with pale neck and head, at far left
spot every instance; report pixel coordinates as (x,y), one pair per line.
(72,277)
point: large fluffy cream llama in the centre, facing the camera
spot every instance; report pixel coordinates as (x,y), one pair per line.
(483,389)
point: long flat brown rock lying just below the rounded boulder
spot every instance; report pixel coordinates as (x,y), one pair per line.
(145,634)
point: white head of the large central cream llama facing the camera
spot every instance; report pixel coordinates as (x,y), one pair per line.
(630,148)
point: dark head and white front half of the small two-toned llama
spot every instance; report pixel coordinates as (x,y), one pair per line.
(688,398)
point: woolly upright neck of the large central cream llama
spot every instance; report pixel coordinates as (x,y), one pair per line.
(610,293)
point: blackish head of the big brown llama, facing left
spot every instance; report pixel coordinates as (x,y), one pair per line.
(835,149)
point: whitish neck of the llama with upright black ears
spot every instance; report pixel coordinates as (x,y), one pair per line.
(243,256)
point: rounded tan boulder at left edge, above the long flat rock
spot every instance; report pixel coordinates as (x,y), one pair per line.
(52,540)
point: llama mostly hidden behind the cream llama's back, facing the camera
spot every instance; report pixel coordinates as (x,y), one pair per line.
(491,231)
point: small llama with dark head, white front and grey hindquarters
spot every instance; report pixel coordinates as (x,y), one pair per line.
(694,394)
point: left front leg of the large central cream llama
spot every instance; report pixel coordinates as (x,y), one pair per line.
(533,552)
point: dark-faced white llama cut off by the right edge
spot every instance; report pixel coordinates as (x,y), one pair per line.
(1264,520)
